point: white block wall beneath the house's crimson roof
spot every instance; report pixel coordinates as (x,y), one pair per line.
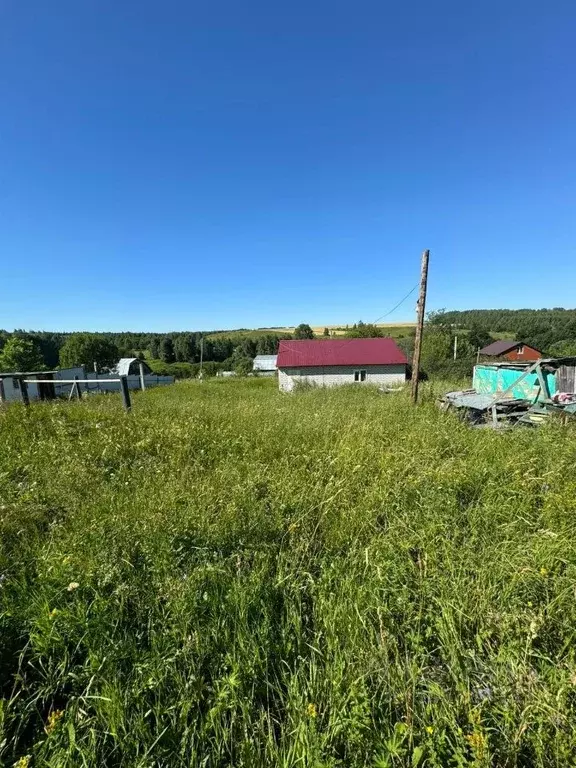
(335,375)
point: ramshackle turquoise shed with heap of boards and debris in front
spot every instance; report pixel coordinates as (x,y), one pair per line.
(509,394)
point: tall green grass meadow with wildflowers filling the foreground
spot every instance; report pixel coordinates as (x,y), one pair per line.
(232,577)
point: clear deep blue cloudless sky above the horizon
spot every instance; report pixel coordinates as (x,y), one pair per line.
(177,165)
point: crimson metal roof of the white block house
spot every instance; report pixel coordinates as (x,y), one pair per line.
(317,352)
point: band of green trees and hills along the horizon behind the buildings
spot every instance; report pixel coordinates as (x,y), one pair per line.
(552,331)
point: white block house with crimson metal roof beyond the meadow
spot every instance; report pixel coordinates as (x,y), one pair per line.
(344,361)
